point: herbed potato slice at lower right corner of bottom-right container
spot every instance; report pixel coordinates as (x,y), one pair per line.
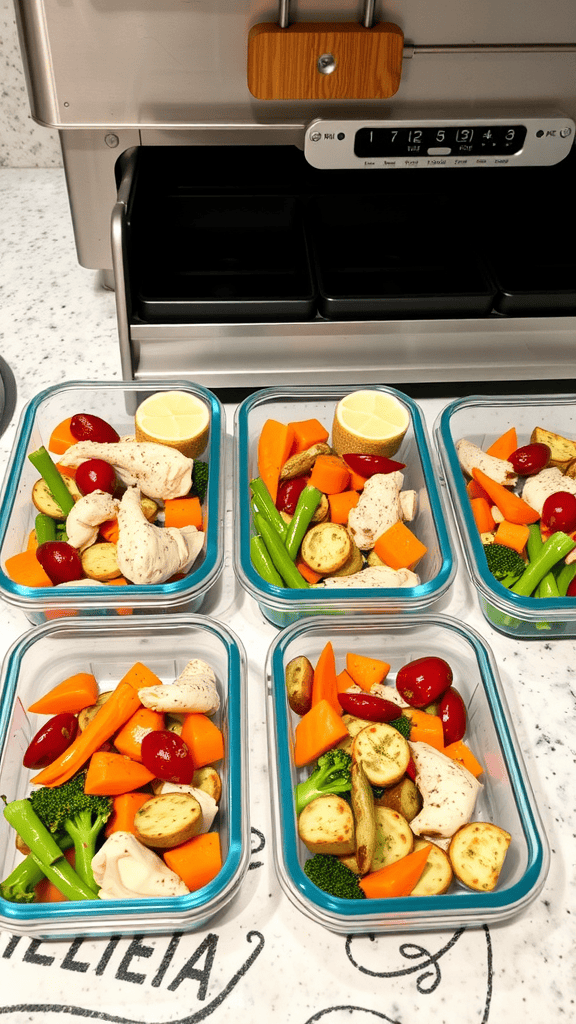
(477,854)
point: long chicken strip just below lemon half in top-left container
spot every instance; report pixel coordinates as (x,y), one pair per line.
(160,472)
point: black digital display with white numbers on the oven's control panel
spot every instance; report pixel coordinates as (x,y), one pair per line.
(489,141)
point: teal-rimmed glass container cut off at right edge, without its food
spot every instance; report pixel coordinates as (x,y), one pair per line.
(482,419)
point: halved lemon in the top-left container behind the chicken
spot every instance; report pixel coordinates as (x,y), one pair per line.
(175,418)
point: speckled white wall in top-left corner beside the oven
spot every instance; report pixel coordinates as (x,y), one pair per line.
(23,143)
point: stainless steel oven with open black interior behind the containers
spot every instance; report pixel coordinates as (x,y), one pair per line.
(320,192)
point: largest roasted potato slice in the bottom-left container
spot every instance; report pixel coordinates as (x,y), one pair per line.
(170,820)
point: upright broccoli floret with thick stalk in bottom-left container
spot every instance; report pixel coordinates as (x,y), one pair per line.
(68,808)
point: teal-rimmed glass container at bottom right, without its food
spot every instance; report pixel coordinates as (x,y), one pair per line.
(506,799)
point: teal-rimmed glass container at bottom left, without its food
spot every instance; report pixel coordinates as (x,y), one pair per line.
(49,654)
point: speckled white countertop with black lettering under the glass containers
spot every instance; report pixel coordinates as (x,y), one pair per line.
(262,957)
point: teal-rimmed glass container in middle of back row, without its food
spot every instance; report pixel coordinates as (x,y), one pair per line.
(283,606)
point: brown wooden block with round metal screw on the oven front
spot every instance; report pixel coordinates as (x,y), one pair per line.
(283,63)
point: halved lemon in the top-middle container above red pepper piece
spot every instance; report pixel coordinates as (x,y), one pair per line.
(369,422)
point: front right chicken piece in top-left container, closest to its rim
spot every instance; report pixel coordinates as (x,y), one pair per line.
(149,554)
